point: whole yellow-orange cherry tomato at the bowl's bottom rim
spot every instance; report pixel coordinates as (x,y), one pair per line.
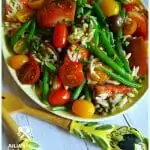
(83,108)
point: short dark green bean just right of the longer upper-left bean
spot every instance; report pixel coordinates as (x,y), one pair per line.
(32,28)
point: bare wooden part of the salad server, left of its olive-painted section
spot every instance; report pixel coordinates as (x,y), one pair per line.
(14,104)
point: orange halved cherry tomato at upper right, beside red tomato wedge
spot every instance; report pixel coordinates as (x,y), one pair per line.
(130,27)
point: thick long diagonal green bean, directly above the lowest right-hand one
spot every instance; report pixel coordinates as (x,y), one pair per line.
(103,56)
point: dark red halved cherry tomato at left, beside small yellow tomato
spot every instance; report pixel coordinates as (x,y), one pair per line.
(29,73)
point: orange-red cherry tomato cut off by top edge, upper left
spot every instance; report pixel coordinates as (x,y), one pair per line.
(35,4)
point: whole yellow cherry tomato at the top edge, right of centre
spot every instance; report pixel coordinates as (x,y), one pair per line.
(110,7)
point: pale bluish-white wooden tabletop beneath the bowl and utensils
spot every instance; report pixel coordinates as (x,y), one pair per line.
(53,138)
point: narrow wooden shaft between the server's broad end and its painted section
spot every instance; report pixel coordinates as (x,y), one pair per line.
(48,117)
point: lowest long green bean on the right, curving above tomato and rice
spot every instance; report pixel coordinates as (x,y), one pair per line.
(120,79)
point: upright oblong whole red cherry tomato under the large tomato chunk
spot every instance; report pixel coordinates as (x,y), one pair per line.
(60,35)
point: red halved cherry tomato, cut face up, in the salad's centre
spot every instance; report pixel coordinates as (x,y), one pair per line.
(71,74)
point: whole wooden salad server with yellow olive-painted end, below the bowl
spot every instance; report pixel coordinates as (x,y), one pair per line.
(108,137)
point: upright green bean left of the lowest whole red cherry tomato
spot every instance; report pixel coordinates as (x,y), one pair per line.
(45,84)
